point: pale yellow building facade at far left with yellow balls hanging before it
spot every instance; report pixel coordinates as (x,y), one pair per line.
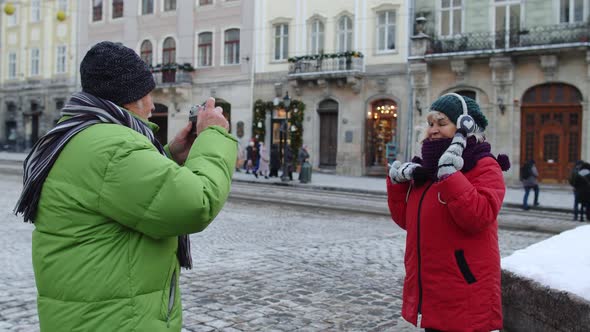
(38,68)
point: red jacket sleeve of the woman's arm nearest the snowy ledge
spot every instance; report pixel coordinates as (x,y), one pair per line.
(474,199)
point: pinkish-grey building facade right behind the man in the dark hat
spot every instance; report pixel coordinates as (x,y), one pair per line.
(197,49)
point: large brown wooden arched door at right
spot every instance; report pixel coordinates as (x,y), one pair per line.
(551,130)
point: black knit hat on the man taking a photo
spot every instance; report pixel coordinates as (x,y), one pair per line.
(115,72)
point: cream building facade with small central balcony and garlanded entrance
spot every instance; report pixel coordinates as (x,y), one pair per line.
(346,62)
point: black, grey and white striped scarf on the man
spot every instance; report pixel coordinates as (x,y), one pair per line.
(84,111)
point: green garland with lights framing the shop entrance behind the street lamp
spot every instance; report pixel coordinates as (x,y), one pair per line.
(296,116)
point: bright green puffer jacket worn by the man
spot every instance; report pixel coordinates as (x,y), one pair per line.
(105,238)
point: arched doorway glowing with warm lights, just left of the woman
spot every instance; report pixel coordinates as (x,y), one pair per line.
(381,128)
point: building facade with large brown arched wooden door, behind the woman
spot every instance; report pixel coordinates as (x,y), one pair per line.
(527,63)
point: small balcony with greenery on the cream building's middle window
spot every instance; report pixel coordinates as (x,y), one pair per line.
(335,65)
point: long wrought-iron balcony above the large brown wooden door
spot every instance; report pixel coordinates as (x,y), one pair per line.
(554,36)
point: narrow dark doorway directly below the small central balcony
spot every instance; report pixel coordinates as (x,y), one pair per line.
(328,112)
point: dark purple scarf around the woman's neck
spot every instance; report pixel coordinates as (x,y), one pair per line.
(432,150)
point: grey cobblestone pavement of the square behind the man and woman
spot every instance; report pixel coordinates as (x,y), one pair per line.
(259,267)
